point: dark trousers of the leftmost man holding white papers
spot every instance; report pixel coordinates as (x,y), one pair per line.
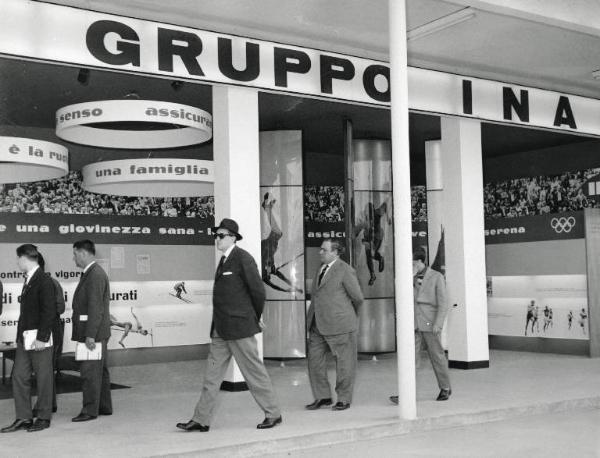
(27,362)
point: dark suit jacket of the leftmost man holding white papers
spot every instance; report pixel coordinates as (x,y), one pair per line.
(38,307)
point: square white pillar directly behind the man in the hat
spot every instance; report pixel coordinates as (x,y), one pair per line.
(237,178)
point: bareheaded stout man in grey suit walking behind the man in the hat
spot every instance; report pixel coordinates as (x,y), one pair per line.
(333,326)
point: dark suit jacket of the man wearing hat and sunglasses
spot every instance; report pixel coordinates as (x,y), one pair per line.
(238,297)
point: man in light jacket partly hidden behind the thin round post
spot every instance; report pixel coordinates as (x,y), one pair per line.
(431,308)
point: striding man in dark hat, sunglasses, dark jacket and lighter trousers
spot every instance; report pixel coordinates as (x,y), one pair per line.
(238,301)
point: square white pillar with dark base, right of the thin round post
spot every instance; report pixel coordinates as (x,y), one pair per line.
(465,244)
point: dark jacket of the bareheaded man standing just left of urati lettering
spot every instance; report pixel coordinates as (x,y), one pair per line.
(91,314)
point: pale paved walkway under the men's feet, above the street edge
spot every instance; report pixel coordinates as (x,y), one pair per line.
(163,394)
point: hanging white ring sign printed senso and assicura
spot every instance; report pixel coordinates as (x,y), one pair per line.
(115,124)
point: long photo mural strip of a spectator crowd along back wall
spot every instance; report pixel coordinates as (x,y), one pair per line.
(324,204)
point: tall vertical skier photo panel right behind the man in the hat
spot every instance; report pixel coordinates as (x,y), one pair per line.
(282,243)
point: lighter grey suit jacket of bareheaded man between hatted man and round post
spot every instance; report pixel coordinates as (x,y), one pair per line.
(335,302)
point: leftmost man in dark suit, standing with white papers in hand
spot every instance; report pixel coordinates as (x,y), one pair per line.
(38,311)
